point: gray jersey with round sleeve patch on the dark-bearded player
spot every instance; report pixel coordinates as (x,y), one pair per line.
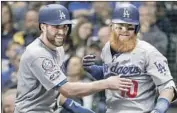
(39,77)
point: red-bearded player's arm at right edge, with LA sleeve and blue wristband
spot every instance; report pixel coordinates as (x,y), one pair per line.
(160,73)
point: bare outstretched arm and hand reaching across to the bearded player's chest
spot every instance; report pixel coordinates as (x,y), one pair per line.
(82,89)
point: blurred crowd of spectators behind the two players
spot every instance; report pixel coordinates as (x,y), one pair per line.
(90,31)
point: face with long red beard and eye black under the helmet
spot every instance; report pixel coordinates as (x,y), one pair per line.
(123,37)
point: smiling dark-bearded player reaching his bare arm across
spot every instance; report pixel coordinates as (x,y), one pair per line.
(40,75)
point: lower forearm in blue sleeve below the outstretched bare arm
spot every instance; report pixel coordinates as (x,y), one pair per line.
(72,106)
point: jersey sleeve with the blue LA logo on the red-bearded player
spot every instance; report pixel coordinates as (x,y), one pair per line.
(157,67)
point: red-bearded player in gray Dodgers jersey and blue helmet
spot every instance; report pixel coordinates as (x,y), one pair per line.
(128,57)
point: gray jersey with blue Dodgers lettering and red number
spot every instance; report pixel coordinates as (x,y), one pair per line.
(146,67)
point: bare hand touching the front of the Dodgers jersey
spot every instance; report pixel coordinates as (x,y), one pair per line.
(117,83)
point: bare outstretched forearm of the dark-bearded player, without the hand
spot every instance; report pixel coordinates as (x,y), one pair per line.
(83,89)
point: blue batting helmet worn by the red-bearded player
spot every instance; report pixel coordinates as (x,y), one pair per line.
(126,13)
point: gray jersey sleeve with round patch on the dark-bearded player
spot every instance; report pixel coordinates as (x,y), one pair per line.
(47,72)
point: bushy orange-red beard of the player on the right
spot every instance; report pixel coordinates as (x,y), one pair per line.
(122,46)
